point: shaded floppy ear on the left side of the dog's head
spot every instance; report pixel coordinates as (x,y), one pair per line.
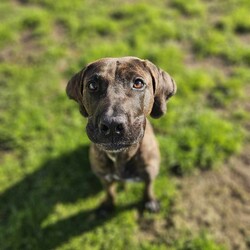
(74,90)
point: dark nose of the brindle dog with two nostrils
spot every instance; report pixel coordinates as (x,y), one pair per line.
(112,126)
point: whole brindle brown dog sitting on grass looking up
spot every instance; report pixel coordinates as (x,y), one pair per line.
(117,95)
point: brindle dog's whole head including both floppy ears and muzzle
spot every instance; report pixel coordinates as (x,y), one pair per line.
(116,95)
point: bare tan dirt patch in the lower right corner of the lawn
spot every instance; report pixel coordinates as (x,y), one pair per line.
(218,202)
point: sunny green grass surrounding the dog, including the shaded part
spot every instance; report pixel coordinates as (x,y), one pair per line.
(47,191)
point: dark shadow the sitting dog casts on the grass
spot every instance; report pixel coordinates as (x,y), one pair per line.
(25,206)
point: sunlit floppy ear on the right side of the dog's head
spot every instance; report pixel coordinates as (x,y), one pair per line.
(164,87)
